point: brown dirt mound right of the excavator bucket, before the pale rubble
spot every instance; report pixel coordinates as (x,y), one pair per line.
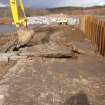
(58,34)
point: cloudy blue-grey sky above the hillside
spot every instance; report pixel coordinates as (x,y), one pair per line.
(57,3)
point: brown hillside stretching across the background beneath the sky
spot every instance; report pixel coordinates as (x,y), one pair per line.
(97,10)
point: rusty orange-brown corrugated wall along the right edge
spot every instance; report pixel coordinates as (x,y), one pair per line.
(94,28)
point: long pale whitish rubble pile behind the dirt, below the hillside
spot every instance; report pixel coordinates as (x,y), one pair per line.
(47,20)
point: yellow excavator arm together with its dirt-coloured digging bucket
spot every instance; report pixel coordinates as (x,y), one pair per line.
(24,34)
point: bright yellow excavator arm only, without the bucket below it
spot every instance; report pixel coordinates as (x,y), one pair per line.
(15,14)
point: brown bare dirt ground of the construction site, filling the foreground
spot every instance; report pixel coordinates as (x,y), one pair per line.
(60,66)
